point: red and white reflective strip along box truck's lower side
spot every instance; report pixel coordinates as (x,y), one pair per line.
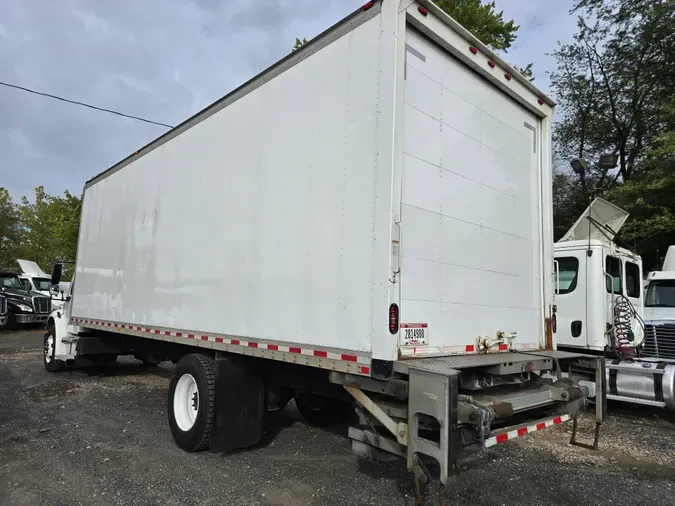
(362,362)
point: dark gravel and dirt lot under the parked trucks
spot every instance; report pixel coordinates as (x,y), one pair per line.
(98,439)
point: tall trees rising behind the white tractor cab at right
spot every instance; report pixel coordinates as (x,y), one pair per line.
(610,85)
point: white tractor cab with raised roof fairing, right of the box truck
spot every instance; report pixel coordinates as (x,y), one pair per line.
(592,274)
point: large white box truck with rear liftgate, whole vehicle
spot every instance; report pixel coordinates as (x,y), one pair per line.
(366,222)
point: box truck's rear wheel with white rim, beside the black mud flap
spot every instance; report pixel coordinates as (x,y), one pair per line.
(191,402)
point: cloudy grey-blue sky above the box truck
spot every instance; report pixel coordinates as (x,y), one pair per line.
(163,60)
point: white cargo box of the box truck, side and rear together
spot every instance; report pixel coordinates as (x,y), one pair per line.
(384,163)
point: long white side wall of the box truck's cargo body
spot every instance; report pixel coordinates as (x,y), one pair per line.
(256,222)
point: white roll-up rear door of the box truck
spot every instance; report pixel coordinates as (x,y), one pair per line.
(471,206)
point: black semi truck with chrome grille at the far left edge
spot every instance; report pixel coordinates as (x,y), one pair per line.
(24,306)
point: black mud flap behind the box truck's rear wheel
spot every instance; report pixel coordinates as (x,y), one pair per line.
(239,404)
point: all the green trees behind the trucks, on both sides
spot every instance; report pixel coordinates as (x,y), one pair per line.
(614,84)
